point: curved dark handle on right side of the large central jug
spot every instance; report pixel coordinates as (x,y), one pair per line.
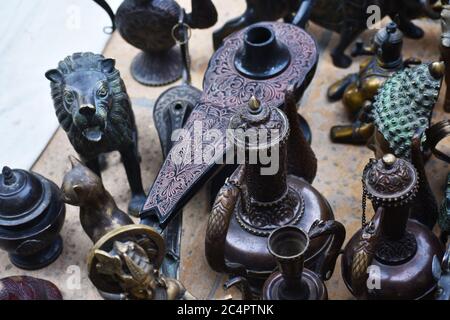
(324,267)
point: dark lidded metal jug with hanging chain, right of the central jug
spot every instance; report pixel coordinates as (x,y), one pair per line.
(391,257)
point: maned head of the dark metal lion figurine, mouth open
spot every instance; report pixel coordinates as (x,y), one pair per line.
(91,103)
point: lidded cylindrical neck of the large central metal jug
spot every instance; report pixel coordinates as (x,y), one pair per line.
(260,135)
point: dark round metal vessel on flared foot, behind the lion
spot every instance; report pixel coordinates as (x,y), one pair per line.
(148,25)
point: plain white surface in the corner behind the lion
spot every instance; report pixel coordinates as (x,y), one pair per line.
(36,35)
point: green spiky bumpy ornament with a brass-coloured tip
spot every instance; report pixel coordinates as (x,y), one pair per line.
(405,103)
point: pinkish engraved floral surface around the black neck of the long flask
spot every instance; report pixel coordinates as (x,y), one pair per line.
(225,90)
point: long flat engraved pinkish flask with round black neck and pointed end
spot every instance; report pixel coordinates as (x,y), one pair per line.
(226,90)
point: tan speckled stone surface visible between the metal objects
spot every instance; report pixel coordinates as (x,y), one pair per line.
(338,177)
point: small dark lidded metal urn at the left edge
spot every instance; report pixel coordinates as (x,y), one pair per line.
(31,216)
